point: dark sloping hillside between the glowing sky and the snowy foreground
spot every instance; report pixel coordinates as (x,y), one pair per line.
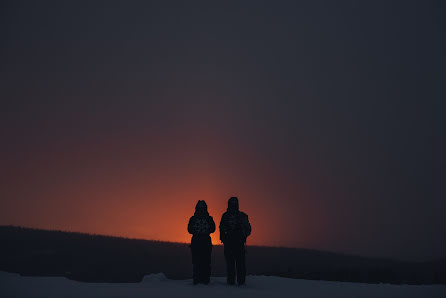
(95,258)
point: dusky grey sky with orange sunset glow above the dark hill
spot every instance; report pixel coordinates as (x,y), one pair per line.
(325,118)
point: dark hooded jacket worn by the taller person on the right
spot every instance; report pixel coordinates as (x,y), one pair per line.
(234,224)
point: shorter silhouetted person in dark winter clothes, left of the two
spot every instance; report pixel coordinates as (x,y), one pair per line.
(200,226)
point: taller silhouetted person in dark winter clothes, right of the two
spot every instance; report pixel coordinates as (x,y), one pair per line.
(234,229)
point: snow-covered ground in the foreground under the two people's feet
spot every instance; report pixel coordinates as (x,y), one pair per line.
(157,285)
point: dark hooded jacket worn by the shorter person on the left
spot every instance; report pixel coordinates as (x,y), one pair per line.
(201,223)
